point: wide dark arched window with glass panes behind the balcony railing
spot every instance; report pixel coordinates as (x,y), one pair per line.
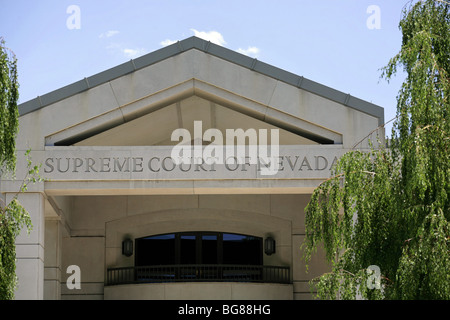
(198,248)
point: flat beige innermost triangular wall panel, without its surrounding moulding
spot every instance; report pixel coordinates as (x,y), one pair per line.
(156,128)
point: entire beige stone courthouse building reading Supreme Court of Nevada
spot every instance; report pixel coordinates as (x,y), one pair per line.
(119,217)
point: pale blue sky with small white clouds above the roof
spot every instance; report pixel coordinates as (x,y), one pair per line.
(328,41)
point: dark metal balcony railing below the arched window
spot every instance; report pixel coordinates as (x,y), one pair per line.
(198,273)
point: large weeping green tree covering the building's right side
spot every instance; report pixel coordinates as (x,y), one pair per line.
(390,207)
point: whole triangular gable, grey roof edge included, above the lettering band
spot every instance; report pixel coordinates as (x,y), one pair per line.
(142,101)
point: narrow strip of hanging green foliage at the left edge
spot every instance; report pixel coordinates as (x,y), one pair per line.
(13,216)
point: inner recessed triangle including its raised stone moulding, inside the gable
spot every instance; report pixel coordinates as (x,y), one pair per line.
(150,121)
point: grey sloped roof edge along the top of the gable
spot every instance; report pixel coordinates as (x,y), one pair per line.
(215,50)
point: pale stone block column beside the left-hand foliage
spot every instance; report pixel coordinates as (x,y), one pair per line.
(30,249)
